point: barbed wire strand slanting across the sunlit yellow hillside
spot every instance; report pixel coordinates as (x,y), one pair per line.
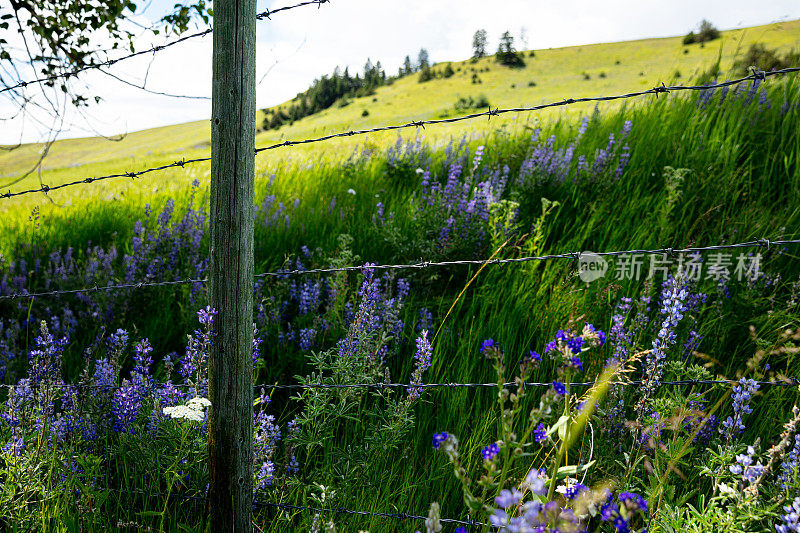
(758,75)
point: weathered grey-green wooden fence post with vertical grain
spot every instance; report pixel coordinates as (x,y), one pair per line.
(230,373)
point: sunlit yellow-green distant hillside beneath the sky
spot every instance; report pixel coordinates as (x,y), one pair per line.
(557,73)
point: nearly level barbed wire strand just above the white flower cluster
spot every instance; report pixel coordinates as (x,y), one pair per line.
(784,382)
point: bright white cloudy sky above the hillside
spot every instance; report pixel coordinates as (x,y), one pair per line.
(299,45)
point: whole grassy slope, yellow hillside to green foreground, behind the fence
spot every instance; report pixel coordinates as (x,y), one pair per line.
(688,169)
